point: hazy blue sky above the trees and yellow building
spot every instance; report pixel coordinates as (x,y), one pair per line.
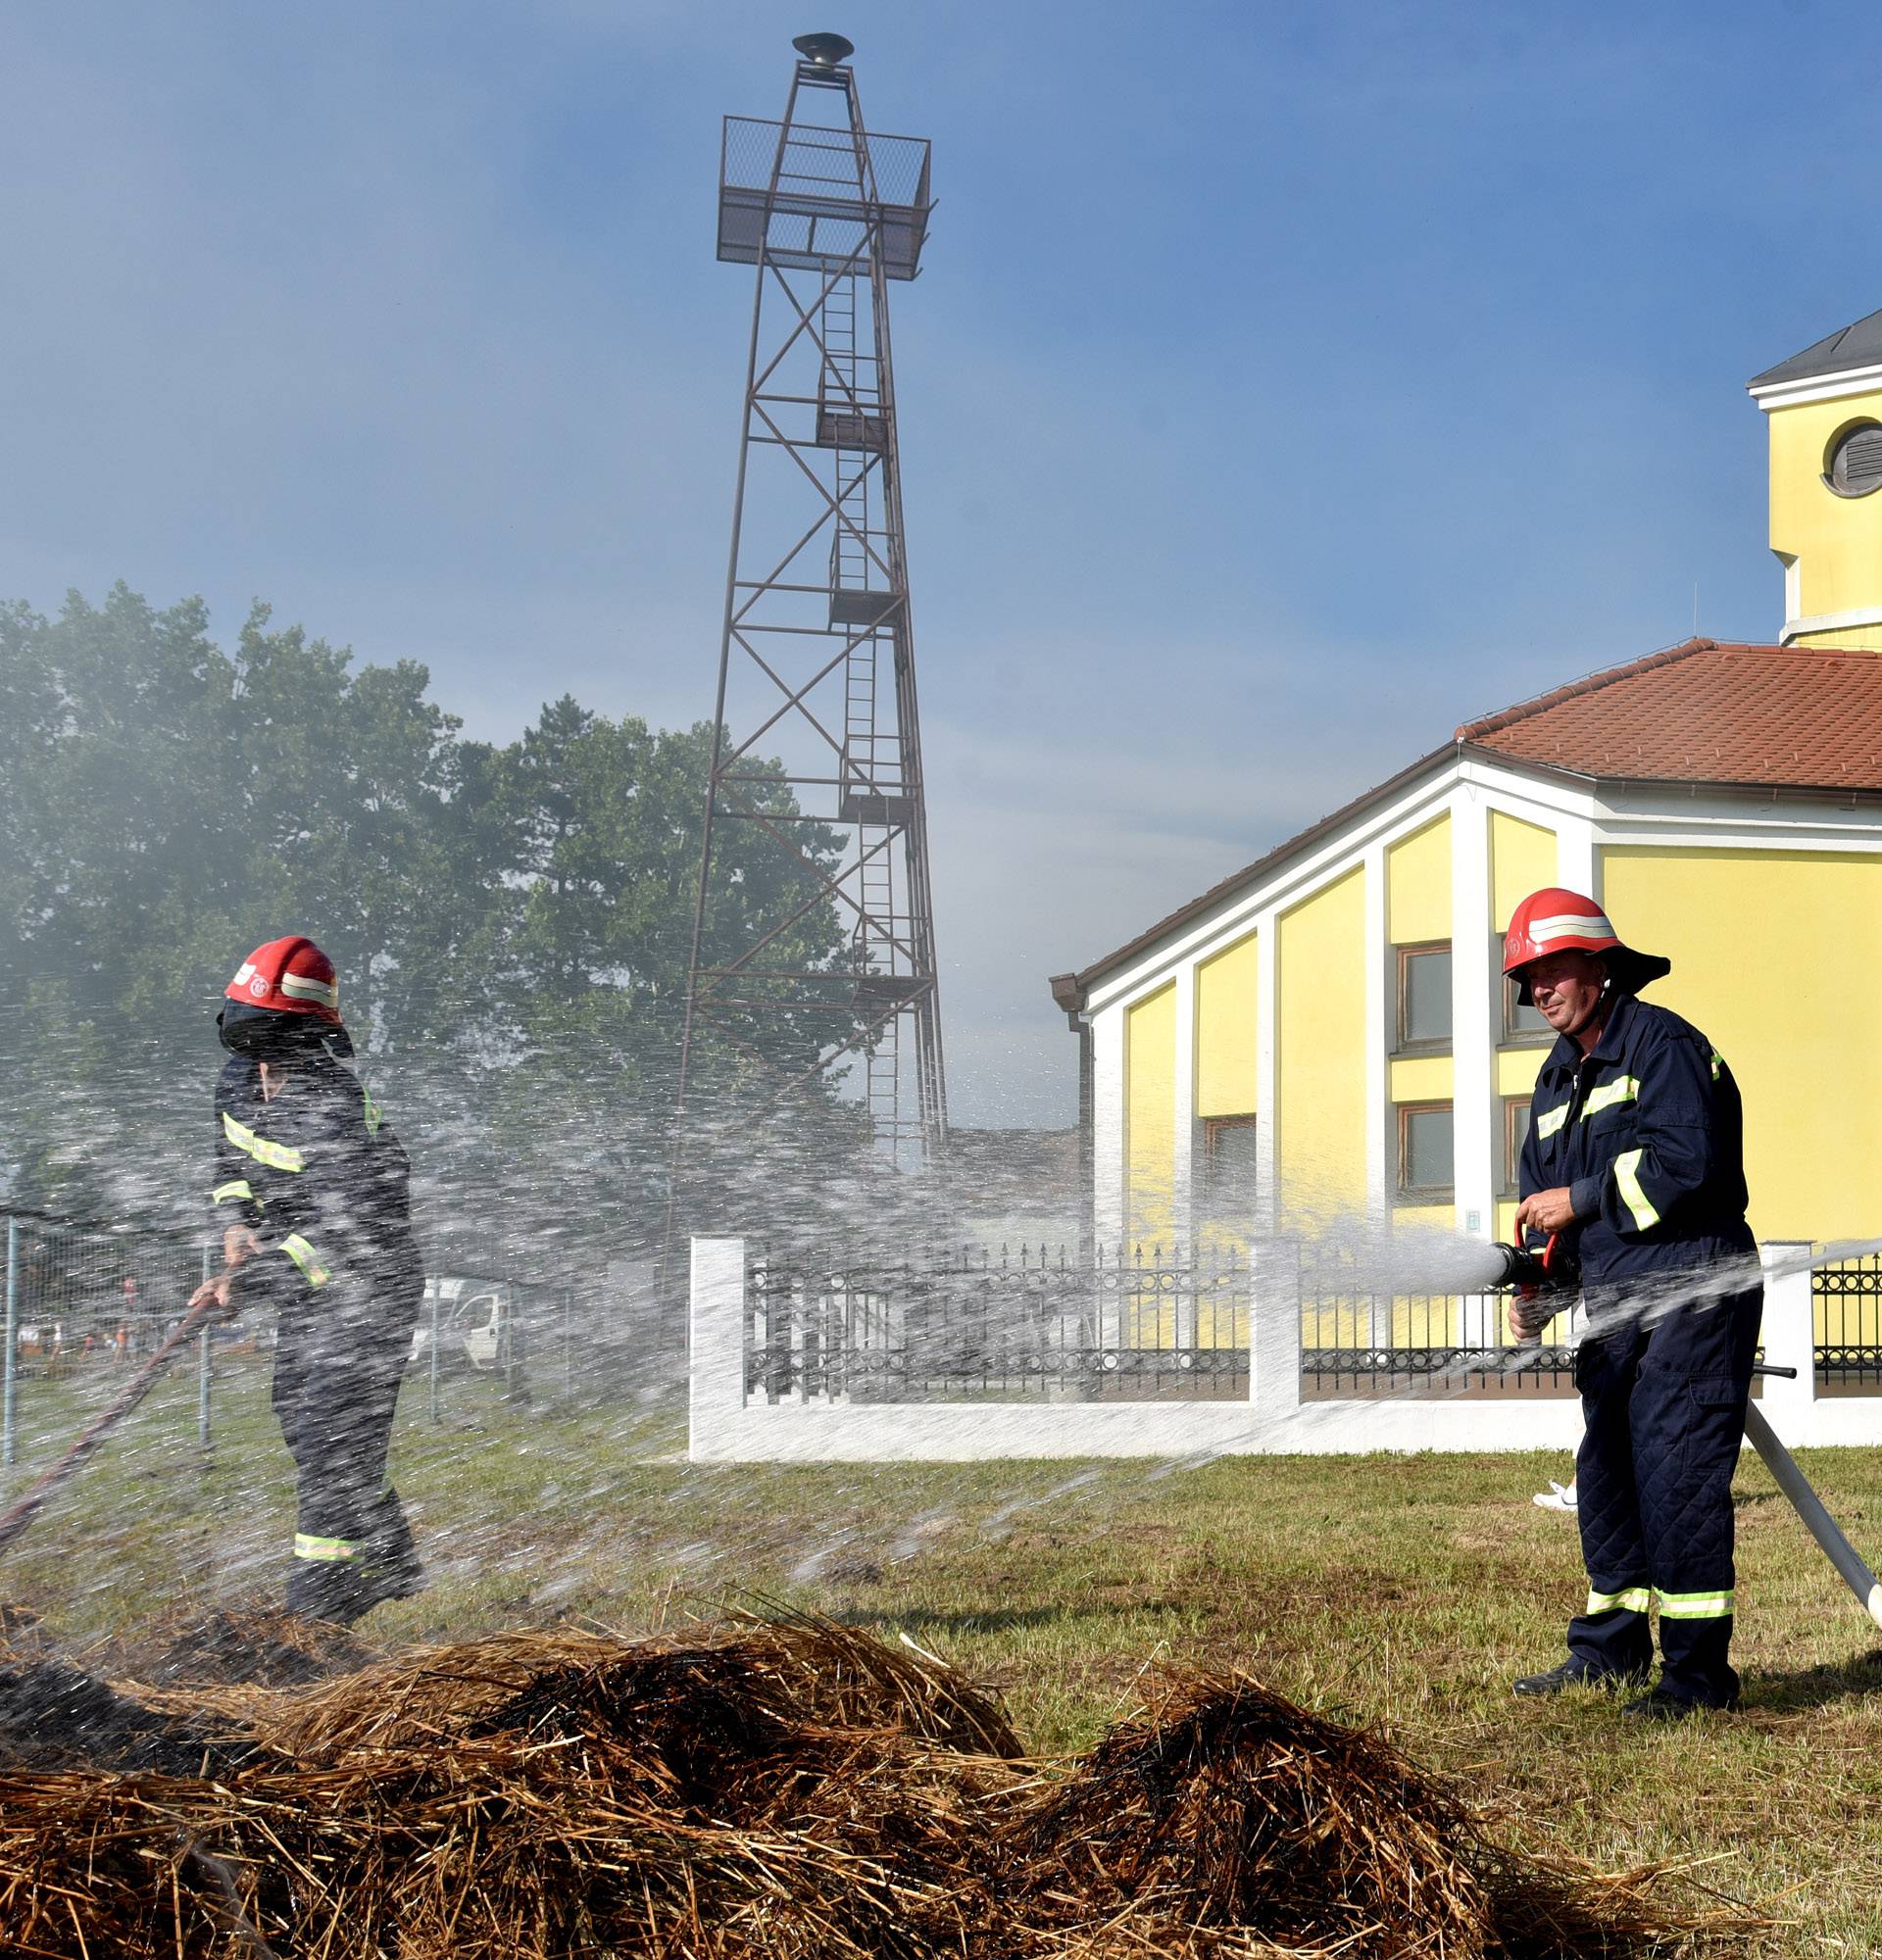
(1275,397)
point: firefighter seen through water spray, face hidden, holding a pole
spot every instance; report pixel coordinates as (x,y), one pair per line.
(311,1185)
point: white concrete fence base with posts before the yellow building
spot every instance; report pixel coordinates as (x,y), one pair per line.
(728,1426)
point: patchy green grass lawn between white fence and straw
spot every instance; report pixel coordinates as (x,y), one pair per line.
(1399,1592)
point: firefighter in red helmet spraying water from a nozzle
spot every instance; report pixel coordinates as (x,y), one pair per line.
(1634,1163)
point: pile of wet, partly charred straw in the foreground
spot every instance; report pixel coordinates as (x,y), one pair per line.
(764,1788)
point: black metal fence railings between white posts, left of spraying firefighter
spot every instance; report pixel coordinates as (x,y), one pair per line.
(948,1324)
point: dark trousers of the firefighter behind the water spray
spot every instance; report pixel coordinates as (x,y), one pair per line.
(340,1357)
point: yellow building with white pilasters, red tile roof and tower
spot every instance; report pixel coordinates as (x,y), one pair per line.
(1328,1032)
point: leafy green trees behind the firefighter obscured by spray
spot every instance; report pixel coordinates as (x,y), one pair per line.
(511,922)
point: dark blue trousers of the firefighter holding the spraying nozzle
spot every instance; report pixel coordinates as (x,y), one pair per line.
(1665,1412)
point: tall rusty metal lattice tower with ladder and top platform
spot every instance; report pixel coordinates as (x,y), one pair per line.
(818,656)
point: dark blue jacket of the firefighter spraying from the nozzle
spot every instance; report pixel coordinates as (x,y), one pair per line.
(1650,1138)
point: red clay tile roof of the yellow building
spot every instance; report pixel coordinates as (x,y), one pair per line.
(1807,718)
